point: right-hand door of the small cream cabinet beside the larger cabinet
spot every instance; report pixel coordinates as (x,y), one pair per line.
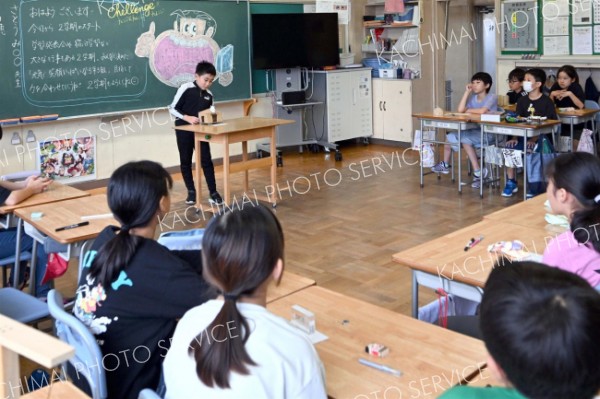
(397,110)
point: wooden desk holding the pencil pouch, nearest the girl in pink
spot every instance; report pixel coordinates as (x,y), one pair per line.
(443,262)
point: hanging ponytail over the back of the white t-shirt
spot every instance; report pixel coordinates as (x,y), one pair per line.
(219,349)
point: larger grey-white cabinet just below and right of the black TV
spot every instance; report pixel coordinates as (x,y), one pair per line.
(347,112)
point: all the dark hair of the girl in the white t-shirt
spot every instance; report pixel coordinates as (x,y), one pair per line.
(240,250)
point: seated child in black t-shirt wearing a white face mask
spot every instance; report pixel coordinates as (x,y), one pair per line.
(534,104)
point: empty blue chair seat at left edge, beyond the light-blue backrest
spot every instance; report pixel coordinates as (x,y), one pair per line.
(21,306)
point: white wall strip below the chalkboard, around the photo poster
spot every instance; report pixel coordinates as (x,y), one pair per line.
(119,139)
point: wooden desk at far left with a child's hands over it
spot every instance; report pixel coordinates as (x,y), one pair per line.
(56,192)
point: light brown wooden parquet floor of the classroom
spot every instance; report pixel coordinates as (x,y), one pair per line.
(343,220)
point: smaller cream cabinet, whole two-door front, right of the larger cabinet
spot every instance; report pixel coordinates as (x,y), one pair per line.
(392,109)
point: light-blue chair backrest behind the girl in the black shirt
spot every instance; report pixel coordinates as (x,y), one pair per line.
(87,361)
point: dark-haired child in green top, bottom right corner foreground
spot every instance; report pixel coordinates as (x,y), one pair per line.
(540,326)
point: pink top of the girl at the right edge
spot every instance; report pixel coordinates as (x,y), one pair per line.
(564,252)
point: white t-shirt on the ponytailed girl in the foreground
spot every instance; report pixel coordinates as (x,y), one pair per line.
(287,363)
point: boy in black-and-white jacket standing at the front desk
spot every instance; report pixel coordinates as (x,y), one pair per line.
(192,98)
